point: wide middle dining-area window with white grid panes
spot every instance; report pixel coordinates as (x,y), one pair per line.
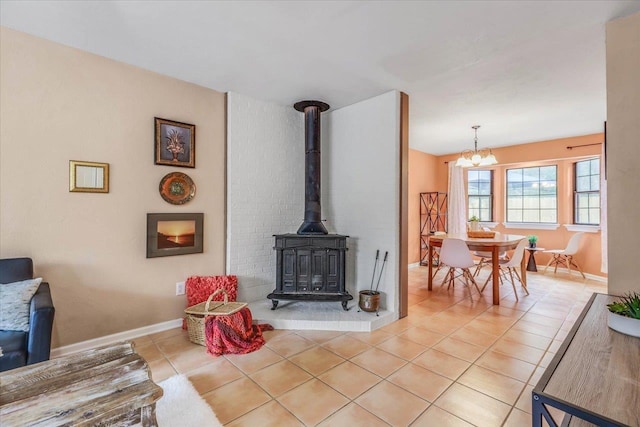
(532,195)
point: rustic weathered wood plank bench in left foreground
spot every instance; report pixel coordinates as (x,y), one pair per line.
(106,386)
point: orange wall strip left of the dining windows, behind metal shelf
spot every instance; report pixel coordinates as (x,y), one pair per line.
(422,178)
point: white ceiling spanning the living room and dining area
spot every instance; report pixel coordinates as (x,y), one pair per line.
(523,70)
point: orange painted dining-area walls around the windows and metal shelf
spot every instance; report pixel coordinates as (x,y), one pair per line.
(523,155)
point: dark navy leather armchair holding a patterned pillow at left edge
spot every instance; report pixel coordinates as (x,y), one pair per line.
(25,348)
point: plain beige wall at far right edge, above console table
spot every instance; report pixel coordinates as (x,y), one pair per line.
(623,151)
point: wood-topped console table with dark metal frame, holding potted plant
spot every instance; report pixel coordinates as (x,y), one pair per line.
(594,377)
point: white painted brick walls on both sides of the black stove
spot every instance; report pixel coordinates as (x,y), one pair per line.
(265,188)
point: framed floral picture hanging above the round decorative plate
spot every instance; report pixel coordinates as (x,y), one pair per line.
(175,143)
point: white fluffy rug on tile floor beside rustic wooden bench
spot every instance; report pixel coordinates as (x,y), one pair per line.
(182,406)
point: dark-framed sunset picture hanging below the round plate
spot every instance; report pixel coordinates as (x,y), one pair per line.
(171,234)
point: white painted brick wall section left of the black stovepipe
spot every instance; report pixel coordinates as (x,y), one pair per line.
(265,188)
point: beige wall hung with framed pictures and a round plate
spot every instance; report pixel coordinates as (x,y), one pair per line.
(59,104)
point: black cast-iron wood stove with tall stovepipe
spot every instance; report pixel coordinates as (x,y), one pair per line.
(311,264)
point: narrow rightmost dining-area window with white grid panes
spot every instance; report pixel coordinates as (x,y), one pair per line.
(586,199)
